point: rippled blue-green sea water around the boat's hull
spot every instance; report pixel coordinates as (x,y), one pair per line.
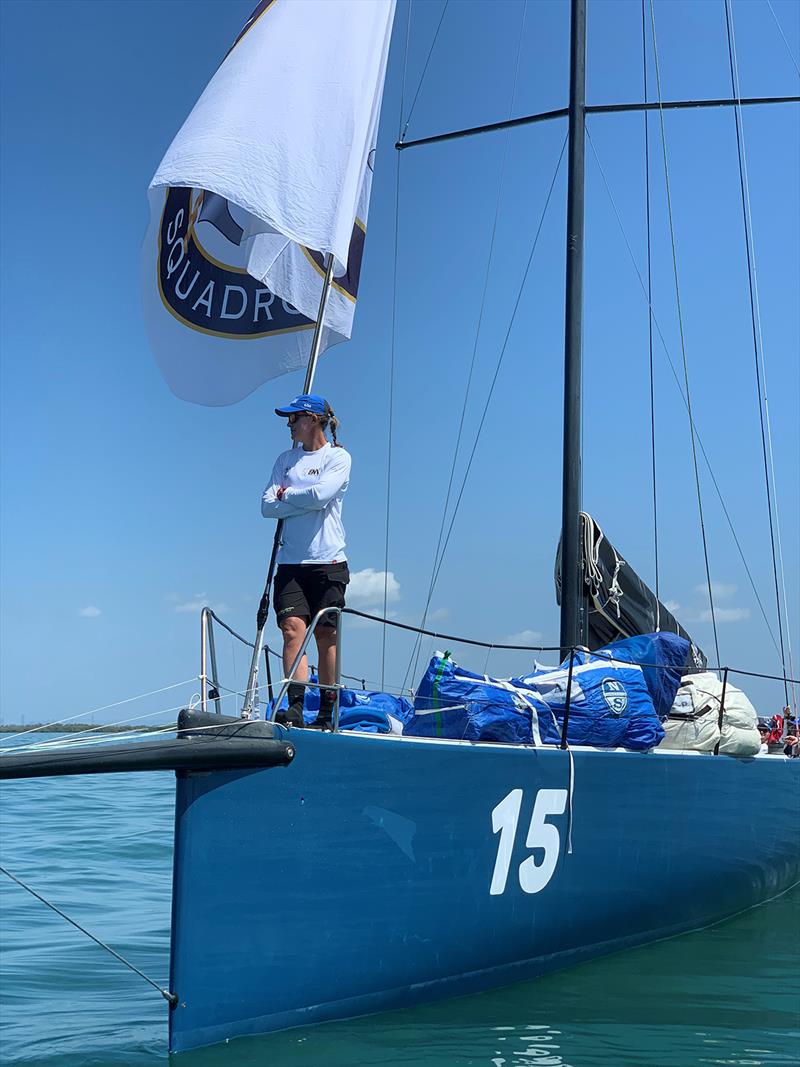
(101,849)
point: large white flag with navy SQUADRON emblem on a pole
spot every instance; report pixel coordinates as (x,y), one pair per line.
(270,173)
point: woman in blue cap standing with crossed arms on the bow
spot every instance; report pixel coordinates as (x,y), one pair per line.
(307,489)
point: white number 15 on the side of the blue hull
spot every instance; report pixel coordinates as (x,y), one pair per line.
(541,835)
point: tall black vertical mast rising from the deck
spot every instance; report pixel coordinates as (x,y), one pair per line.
(571,574)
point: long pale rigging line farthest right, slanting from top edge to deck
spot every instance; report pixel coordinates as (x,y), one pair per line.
(756,326)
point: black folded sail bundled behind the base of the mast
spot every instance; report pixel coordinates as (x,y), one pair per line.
(617,602)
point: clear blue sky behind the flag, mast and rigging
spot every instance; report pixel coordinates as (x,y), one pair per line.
(124,509)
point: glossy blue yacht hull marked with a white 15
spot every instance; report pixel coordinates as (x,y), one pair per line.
(375,873)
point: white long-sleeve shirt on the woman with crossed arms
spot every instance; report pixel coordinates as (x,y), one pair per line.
(314,485)
